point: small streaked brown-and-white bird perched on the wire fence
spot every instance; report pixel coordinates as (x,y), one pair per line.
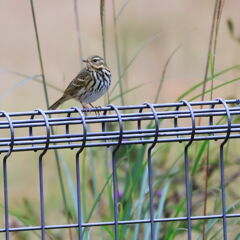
(92,82)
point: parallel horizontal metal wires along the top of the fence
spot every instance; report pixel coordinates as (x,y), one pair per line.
(103,137)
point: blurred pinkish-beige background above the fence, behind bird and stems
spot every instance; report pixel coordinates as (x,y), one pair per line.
(173,23)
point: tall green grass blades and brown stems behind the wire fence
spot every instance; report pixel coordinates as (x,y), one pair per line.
(168,163)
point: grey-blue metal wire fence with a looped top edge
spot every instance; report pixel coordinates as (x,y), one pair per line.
(199,124)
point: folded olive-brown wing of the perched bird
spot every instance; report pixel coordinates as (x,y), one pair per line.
(80,81)
